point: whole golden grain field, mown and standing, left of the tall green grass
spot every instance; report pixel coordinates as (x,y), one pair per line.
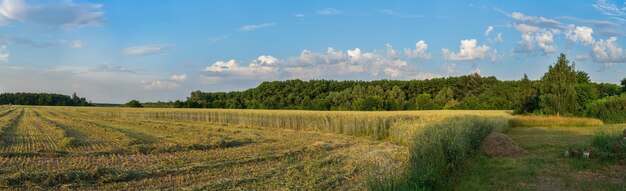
(121,148)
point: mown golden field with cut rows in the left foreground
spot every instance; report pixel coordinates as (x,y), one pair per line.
(275,158)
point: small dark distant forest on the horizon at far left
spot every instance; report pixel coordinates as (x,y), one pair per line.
(42,99)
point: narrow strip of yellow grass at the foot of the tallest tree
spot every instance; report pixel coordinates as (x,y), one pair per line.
(553,121)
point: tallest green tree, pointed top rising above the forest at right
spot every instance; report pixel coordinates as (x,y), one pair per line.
(558,91)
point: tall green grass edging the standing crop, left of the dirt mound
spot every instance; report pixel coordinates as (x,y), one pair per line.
(437,152)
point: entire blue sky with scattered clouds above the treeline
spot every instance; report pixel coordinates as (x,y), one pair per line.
(117,50)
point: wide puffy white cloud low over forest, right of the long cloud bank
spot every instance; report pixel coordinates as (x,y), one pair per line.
(469,50)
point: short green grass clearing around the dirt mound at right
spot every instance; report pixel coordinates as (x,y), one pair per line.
(545,167)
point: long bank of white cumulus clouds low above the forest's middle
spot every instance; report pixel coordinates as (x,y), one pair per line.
(331,64)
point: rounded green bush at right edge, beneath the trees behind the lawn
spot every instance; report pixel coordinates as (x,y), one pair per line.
(610,109)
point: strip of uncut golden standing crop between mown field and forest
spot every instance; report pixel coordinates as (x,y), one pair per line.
(395,126)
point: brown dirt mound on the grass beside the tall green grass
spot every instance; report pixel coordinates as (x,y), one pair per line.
(500,145)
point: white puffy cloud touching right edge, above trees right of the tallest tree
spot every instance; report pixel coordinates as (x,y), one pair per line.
(607,52)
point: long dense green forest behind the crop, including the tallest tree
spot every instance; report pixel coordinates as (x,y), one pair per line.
(463,92)
